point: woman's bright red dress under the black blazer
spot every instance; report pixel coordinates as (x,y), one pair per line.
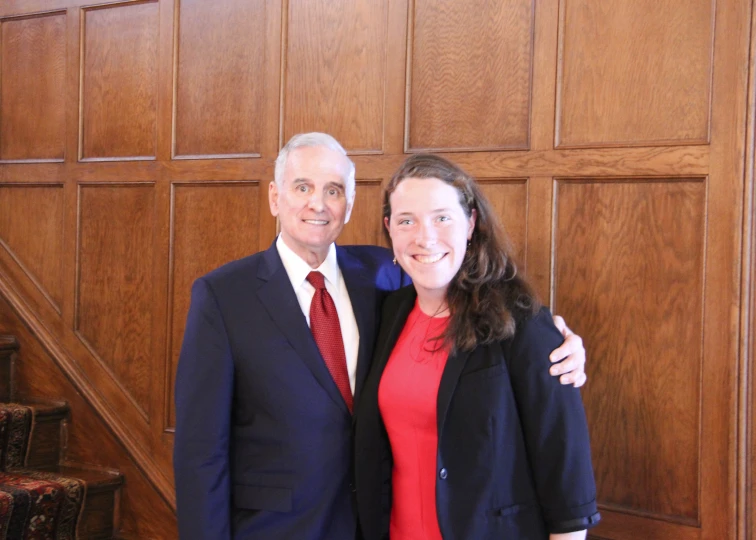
(407,399)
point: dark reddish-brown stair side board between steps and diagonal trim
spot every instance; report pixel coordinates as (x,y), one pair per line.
(143,512)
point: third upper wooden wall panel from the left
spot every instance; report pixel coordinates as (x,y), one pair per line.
(219,86)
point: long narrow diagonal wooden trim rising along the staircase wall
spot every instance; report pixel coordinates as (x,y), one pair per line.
(141,457)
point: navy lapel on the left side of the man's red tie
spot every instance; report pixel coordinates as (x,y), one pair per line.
(279,299)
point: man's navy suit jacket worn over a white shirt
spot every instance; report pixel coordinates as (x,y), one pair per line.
(263,445)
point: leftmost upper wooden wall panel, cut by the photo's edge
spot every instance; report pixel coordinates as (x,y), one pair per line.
(32,105)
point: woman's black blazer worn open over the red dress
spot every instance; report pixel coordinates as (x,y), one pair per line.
(513,452)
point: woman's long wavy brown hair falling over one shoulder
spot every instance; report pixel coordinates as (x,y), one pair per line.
(487,295)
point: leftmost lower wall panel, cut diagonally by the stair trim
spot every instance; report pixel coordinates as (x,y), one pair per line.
(31,228)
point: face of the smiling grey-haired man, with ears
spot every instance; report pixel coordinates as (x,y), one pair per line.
(311,204)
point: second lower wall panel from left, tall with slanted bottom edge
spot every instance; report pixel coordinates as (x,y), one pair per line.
(114,294)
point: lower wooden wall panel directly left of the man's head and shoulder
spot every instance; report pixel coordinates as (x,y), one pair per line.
(212,224)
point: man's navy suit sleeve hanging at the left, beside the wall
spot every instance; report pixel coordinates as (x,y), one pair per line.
(204,389)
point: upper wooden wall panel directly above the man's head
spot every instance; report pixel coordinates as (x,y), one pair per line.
(335,71)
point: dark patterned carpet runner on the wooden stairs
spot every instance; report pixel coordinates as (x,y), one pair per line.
(34,505)
